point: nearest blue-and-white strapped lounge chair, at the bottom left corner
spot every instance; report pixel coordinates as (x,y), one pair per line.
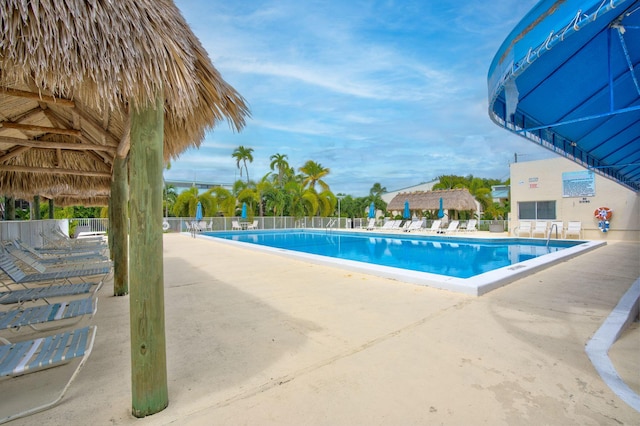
(32,355)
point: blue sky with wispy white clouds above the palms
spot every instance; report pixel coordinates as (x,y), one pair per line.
(393,92)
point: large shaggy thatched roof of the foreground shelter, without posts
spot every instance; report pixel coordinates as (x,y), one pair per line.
(70,72)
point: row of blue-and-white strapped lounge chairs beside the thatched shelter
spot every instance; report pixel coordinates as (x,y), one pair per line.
(33,306)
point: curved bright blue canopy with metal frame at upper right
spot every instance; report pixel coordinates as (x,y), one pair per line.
(568,78)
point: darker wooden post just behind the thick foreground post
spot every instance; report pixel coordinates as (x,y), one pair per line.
(118,227)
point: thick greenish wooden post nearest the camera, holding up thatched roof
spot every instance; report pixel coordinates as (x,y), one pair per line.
(146,280)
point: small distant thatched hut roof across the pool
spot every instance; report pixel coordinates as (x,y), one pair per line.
(453,199)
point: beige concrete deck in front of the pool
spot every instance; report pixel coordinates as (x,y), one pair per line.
(259,339)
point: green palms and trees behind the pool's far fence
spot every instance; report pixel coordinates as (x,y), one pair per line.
(287,191)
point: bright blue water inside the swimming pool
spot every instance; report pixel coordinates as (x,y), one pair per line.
(454,257)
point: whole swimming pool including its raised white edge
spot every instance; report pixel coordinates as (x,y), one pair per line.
(470,265)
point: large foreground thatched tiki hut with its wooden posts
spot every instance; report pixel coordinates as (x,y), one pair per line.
(94,98)
